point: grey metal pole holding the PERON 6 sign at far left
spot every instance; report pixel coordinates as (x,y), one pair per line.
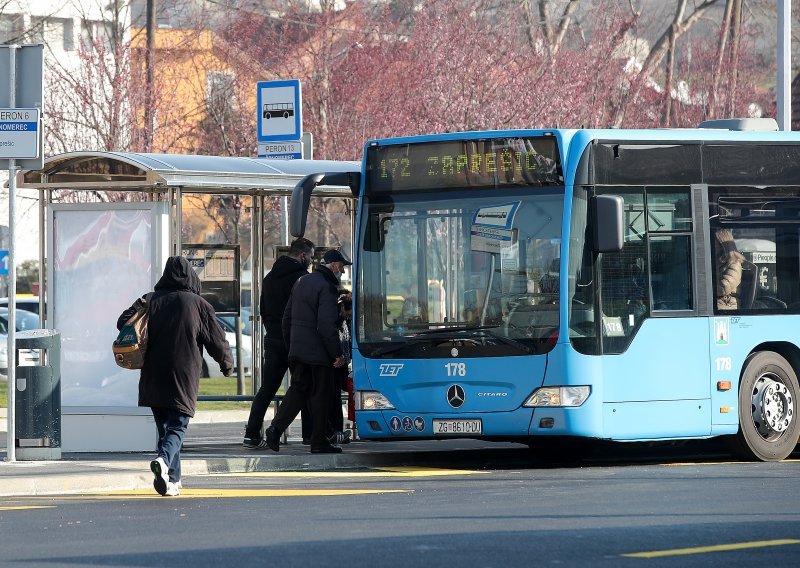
(11,454)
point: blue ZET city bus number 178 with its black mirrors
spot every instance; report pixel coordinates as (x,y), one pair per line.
(545,286)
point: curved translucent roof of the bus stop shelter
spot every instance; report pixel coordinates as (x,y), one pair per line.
(127,171)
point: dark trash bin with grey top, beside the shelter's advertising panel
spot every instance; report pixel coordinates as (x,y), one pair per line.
(38,397)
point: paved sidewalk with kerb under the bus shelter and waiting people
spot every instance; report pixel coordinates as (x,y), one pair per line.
(213,444)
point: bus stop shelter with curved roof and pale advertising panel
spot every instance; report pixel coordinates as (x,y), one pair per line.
(108,221)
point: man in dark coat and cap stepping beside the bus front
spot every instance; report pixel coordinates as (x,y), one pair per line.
(310,328)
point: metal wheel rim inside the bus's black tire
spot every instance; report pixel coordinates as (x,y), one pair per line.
(772,406)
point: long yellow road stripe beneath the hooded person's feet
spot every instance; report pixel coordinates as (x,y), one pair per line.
(230,493)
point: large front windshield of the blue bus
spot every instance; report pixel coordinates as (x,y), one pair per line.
(476,271)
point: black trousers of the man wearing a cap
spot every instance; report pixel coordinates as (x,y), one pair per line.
(310,384)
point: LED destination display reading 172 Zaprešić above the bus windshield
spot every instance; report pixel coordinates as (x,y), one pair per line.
(487,163)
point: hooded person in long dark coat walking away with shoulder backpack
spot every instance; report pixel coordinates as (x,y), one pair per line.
(180,325)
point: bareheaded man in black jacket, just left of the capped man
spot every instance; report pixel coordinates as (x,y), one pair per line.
(275,294)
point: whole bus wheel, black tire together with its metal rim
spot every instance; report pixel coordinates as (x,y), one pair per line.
(769,425)
